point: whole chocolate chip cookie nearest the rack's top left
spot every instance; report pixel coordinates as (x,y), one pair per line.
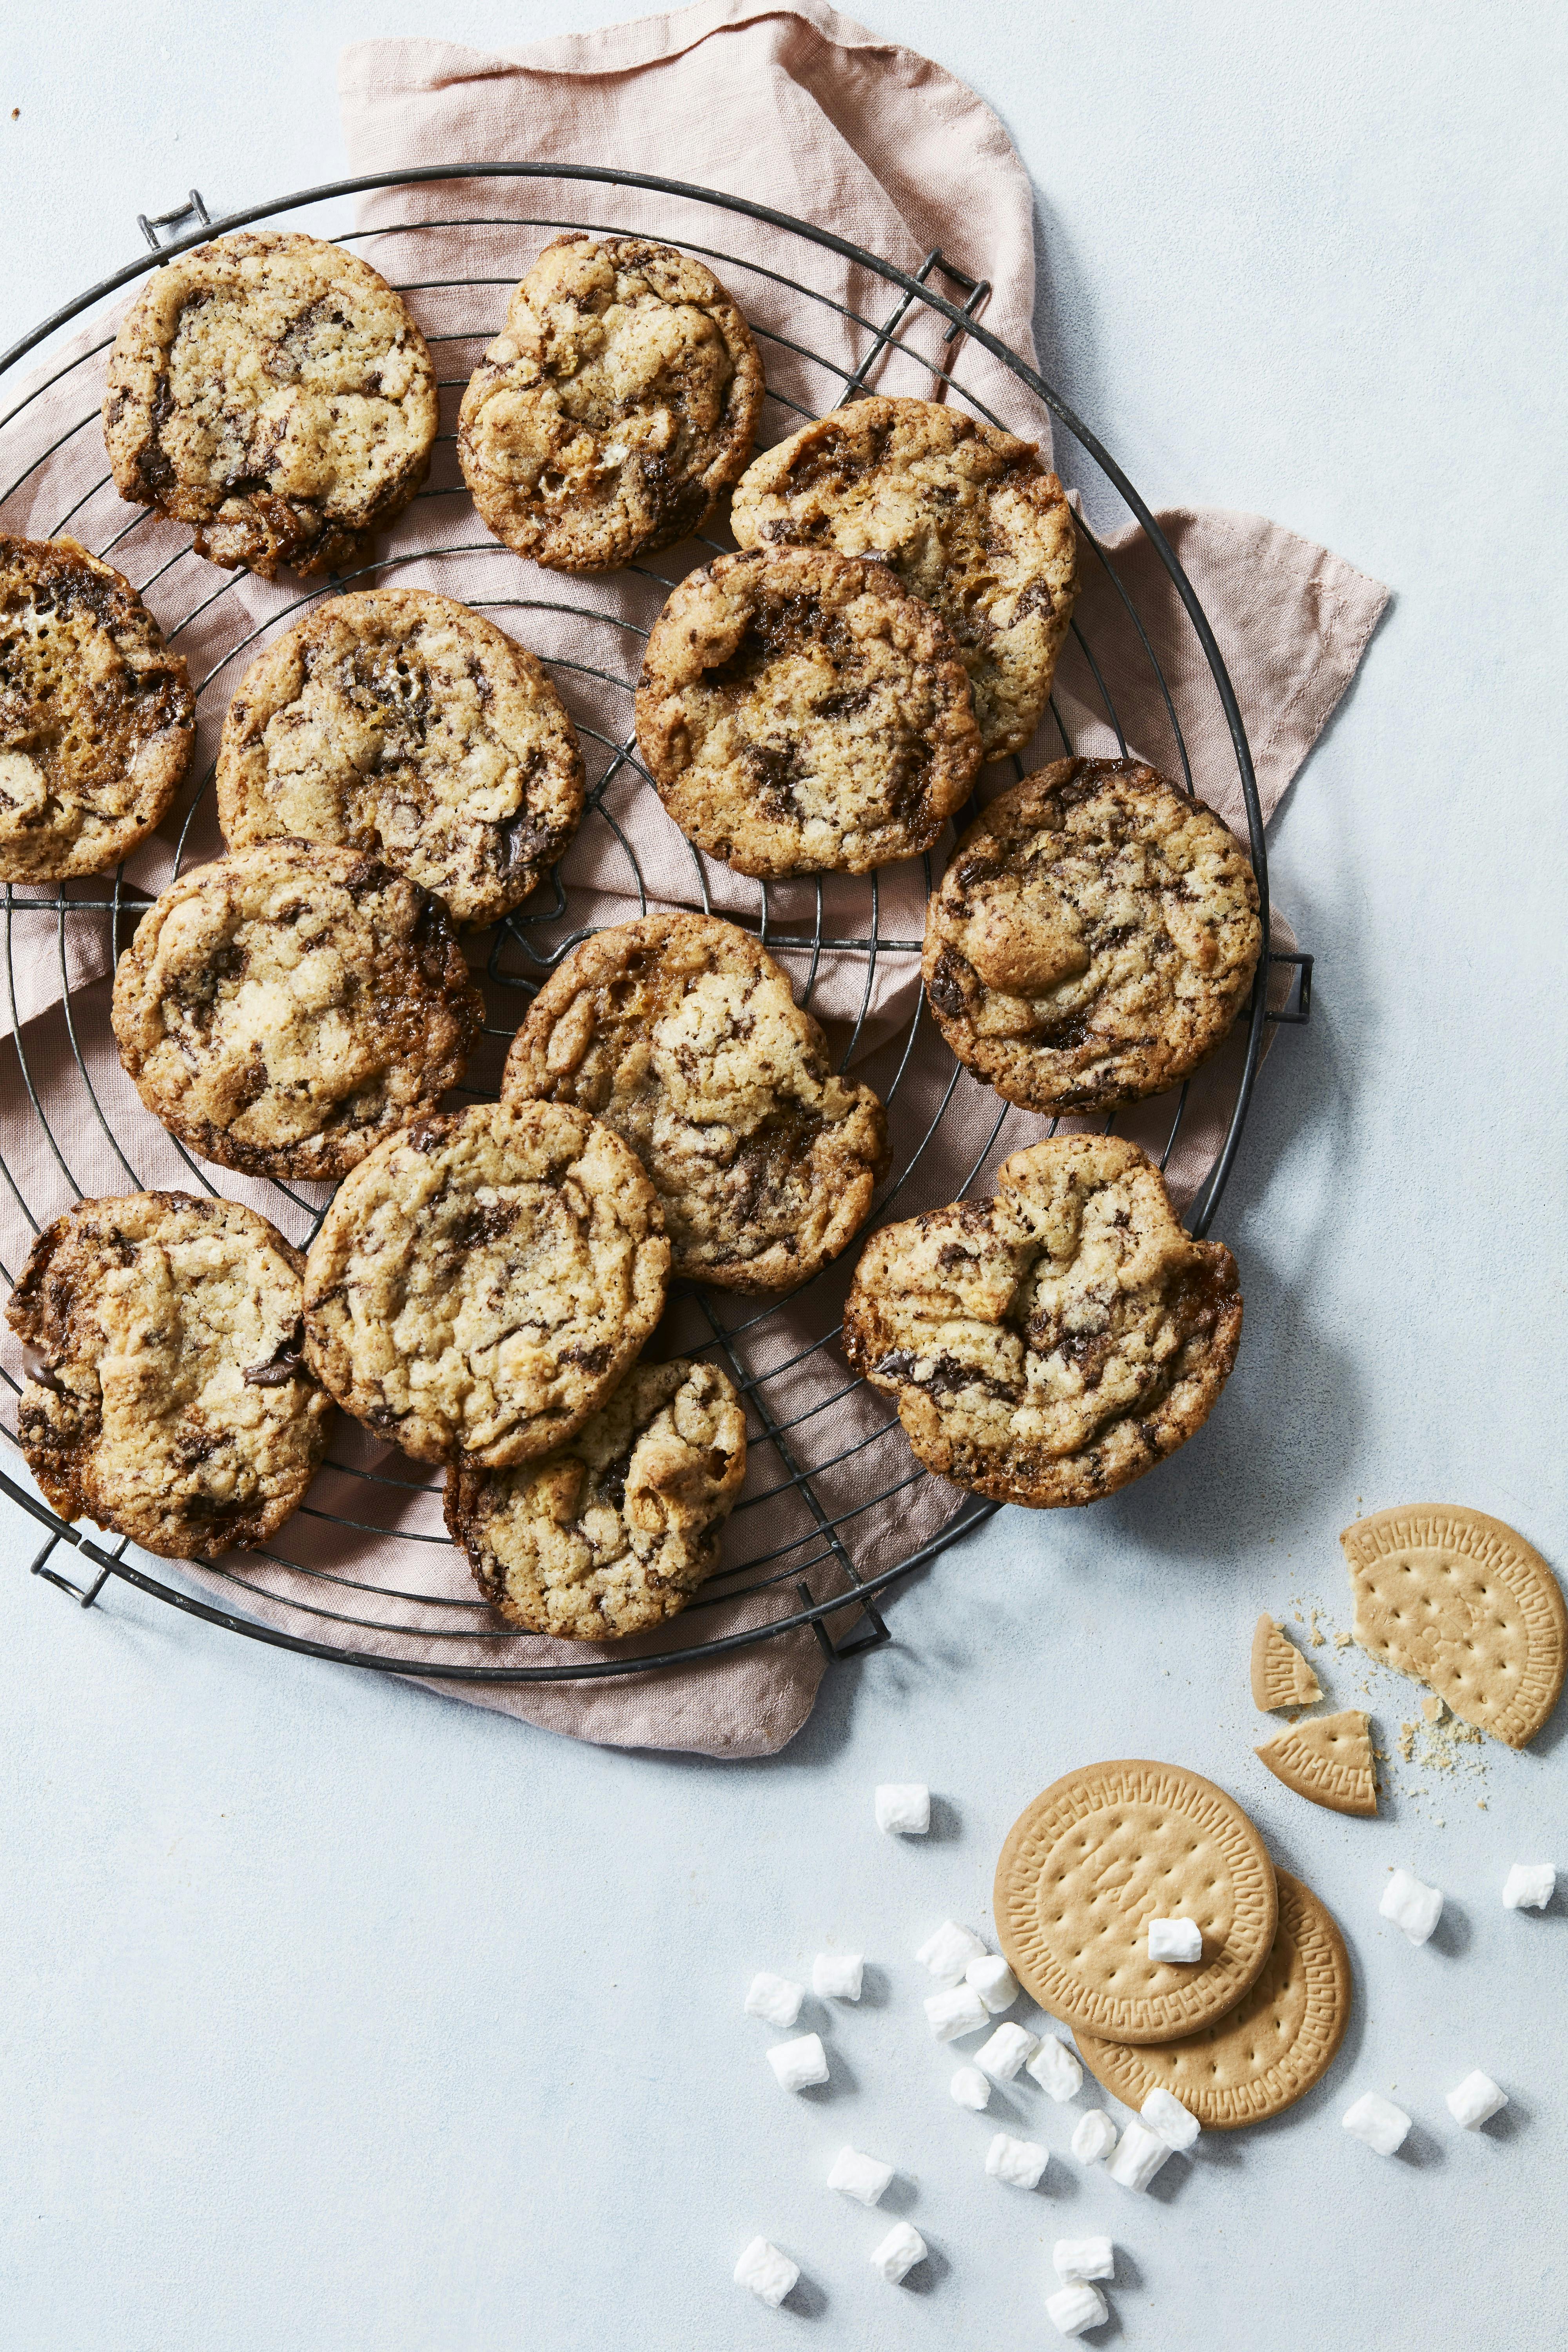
(272,392)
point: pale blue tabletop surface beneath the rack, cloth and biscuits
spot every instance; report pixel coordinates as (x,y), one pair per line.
(342,2017)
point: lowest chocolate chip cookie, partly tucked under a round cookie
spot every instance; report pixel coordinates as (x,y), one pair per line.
(615,1530)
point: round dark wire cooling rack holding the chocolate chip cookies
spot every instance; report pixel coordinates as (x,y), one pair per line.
(836,1506)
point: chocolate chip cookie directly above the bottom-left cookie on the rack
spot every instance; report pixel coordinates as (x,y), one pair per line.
(288,1008)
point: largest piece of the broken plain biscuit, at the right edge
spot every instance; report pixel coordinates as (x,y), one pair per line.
(1461,1603)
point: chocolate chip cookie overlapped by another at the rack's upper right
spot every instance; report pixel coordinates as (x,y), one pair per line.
(965,514)
